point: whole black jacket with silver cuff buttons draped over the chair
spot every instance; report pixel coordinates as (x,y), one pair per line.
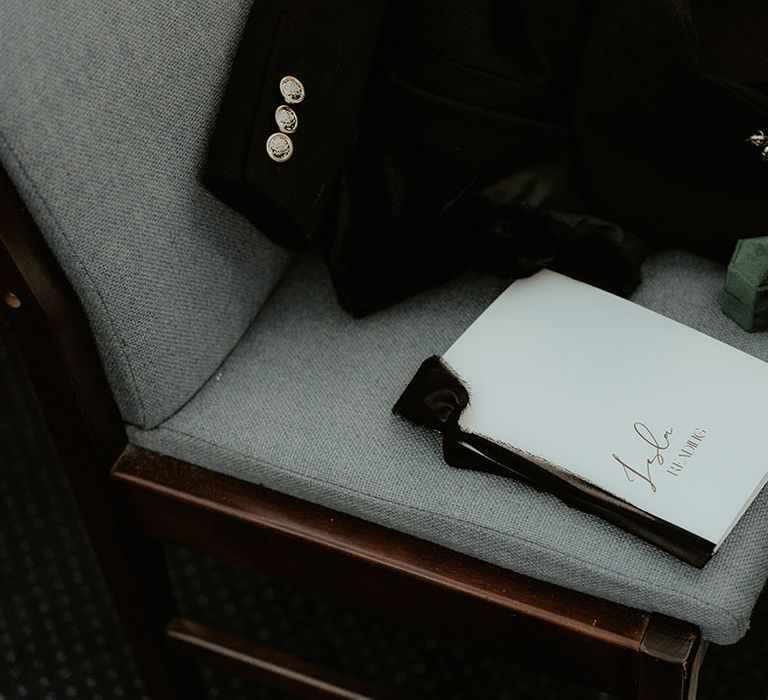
(505,136)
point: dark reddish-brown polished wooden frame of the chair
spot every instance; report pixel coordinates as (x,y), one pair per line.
(132,499)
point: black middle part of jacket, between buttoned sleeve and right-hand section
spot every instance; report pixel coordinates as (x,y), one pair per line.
(465,158)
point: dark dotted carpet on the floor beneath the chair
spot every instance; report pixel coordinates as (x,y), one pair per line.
(59,637)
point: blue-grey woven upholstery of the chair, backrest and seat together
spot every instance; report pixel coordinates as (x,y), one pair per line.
(219,356)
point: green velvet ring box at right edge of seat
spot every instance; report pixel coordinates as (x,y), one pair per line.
(746,284)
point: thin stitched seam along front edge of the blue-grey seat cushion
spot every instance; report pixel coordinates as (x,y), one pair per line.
(541,547)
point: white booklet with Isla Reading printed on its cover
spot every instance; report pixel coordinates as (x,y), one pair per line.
(663,417)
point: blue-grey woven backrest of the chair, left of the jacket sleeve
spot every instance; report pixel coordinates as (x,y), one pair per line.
(105,108)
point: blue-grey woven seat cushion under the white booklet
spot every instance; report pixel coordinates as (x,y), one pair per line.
(303,407)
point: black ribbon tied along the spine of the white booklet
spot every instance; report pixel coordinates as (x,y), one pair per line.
(436,397)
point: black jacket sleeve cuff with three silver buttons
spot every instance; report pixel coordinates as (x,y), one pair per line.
(330,47)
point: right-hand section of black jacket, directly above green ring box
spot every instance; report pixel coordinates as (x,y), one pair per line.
(668,93)
